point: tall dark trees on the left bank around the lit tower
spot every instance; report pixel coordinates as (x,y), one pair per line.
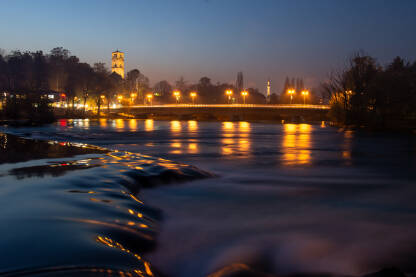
(28,79)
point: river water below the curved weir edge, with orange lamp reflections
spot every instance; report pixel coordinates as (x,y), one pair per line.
(286,198)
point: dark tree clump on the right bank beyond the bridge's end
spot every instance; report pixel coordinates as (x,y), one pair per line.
(368,94)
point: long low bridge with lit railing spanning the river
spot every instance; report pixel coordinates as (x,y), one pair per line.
(227,112)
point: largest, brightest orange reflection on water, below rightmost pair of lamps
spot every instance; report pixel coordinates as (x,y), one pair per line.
(296,144)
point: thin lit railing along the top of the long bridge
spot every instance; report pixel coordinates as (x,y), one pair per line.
(254,106)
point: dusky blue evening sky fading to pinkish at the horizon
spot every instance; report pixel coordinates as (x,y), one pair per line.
(167,39)
